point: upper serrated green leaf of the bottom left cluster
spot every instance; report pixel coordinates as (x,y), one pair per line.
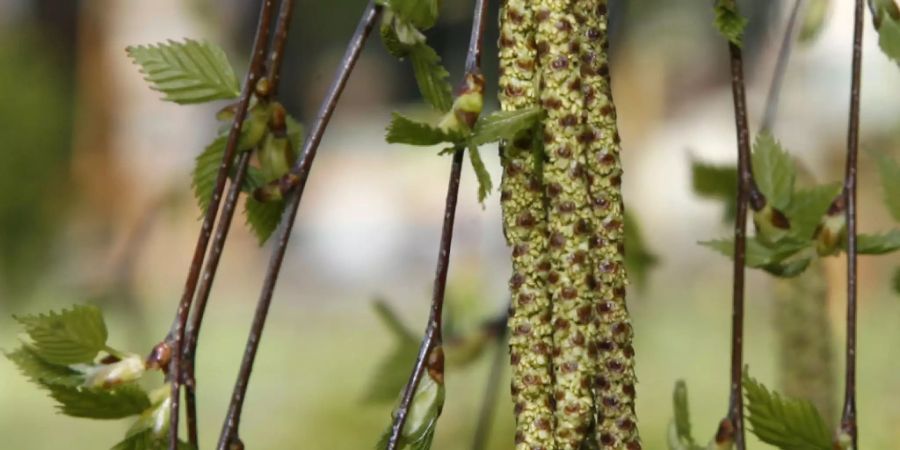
(67,337)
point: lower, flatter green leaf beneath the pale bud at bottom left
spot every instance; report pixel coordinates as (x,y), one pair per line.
(99,403)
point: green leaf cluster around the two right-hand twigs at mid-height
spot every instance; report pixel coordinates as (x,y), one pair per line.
(796,225)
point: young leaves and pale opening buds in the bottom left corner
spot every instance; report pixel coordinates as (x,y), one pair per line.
(66,353)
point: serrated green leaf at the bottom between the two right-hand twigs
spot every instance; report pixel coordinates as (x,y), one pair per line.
(787,423)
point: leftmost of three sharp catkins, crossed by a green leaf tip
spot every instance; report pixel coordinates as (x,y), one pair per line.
(525,227)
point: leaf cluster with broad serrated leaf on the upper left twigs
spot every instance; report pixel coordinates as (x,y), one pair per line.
(192,72)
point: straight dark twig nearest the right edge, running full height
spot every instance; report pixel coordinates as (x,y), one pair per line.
(848,418)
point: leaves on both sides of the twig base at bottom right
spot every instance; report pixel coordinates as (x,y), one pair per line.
(783,422)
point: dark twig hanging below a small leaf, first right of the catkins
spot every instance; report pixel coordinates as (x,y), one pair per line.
(744,194)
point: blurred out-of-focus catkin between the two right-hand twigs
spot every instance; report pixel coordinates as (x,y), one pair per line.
(805,339)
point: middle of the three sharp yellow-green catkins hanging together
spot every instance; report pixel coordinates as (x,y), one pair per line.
(570,280)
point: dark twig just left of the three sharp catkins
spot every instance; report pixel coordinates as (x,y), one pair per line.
(433,334)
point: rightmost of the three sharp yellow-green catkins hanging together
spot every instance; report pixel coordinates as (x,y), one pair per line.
(614,383)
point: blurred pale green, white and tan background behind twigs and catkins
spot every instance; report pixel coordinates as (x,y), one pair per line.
(95,206)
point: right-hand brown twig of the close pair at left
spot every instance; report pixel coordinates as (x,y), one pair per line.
(222,228)
